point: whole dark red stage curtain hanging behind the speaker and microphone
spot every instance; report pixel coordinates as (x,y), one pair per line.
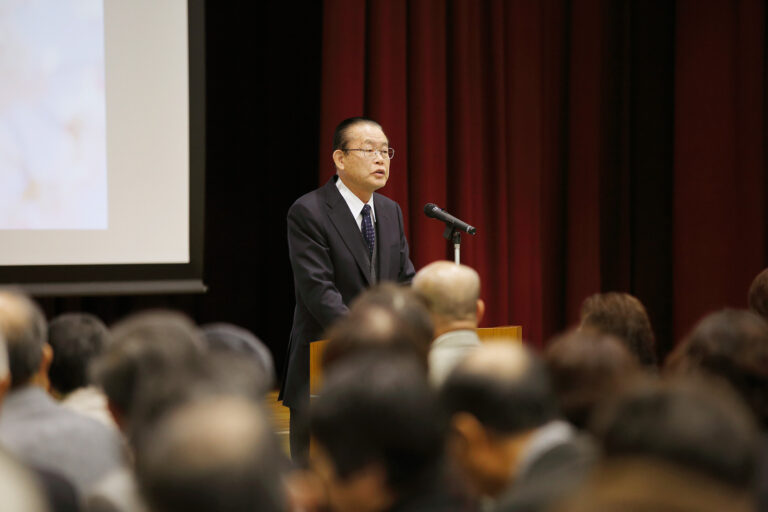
(597,145)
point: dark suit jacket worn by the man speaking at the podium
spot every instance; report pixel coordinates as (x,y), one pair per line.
(330,265)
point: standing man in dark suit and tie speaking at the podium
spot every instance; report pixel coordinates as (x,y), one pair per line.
(342,238)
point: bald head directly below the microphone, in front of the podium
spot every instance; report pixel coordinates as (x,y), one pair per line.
(451,291)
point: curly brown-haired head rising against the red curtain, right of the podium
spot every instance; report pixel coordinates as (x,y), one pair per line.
(623,316)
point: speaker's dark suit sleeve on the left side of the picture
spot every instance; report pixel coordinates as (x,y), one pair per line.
(312,266)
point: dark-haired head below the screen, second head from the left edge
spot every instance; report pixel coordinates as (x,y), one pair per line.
(76,339)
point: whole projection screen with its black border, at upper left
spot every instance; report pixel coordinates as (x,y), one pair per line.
(102,145)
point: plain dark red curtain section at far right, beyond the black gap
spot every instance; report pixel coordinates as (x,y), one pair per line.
(719,215)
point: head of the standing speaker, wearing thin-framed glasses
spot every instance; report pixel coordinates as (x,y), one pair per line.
(363,172)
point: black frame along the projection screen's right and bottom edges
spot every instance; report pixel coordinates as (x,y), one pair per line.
(140,279)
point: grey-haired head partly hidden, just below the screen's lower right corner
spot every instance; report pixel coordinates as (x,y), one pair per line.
(235,340)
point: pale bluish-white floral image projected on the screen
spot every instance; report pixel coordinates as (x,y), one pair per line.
(53,170)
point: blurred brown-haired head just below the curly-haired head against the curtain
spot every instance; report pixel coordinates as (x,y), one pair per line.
(585,366)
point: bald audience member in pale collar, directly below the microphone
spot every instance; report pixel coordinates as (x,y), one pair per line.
(452,293)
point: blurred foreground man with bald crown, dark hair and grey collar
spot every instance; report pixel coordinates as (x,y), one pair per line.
(507,438)
